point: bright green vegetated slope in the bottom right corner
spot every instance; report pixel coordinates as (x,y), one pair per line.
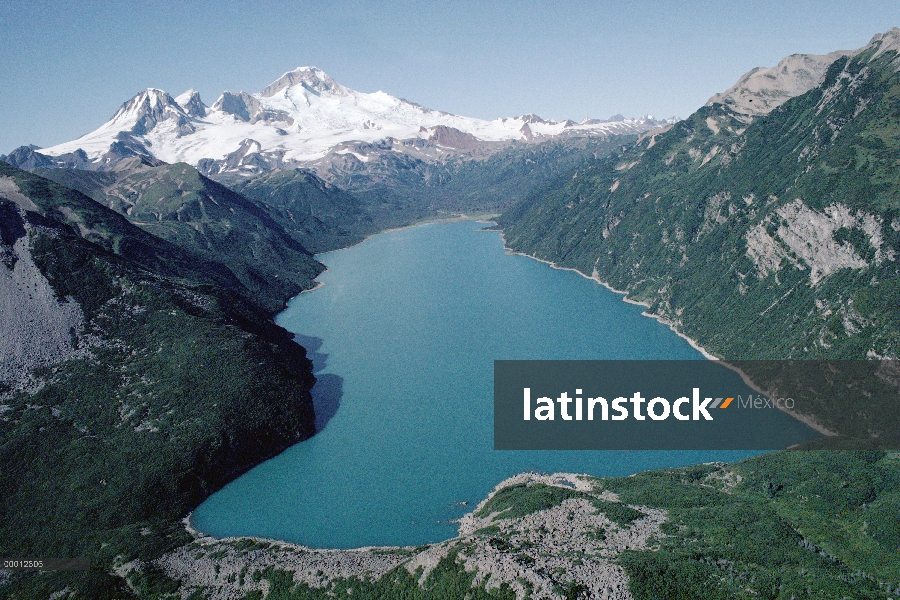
(791,524)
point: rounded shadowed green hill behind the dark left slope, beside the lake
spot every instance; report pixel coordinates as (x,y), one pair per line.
(211,222)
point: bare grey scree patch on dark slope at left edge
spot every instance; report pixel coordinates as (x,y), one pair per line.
(36,327)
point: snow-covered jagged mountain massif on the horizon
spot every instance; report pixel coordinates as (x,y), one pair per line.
(298,119)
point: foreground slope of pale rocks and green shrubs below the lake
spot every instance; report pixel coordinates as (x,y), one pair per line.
(660,534)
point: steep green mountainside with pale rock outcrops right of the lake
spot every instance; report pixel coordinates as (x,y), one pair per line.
(761,234)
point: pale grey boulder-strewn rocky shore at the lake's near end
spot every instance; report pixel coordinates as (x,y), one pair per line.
(234,567)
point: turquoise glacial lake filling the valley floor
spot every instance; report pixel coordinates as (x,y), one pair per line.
(403,333)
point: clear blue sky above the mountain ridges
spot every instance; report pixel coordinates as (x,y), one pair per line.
(66,67)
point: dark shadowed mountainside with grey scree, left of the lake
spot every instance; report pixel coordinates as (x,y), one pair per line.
(134,384)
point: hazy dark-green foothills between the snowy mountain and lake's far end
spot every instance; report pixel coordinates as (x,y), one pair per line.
(255,216)
